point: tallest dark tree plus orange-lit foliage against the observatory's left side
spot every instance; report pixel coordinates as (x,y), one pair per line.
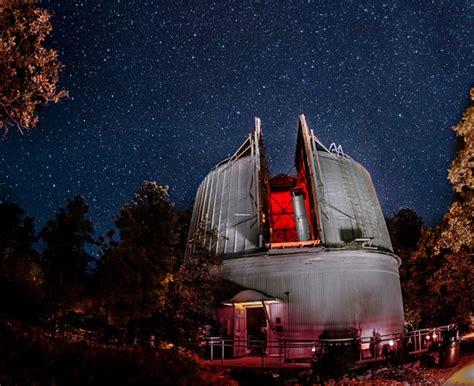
(142,286)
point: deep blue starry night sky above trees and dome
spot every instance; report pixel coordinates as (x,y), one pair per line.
(164,90)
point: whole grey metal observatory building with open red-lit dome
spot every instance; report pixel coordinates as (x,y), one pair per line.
(310,254)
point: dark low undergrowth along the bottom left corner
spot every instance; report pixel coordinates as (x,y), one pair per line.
(28,357)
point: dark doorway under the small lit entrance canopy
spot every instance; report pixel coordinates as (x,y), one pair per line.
(256,331)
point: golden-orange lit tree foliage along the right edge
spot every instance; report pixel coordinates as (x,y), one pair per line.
(455,280)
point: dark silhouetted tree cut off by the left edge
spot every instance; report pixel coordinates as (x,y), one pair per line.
(20,274)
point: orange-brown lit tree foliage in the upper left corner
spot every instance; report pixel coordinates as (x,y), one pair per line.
(29,72)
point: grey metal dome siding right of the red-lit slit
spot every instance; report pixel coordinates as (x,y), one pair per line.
(349,204)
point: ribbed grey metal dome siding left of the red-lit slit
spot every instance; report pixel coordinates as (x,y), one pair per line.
(226,200)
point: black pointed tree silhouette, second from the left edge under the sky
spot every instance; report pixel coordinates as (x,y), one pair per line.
(65,259)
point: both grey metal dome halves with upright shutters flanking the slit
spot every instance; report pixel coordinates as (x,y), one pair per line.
(346,201)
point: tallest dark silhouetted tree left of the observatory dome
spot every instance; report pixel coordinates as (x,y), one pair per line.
(135,271)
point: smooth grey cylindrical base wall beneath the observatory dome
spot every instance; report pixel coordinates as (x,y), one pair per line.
(335,291)
